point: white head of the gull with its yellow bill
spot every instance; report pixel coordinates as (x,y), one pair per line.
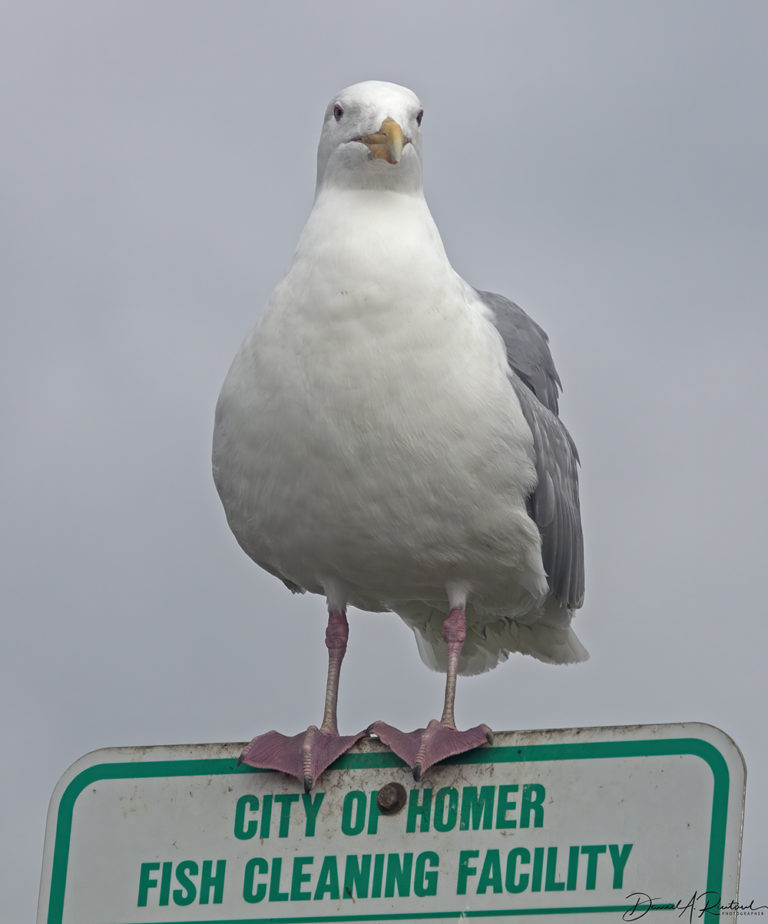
(371,139)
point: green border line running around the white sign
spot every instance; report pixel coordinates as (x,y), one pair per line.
(503,754)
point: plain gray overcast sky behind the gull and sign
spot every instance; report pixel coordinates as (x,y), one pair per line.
(601,163)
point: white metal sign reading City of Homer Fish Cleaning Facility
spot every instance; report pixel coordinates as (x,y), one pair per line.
(579,825)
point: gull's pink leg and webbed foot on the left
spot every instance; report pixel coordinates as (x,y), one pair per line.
(307,754)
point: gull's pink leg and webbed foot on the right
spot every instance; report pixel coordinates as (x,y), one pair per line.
(422,748)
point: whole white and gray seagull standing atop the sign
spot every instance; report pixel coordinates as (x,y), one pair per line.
(388,437)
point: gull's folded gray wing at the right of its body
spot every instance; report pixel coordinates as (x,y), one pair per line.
(554,504)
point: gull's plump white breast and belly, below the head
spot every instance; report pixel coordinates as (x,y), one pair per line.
(367,433)
